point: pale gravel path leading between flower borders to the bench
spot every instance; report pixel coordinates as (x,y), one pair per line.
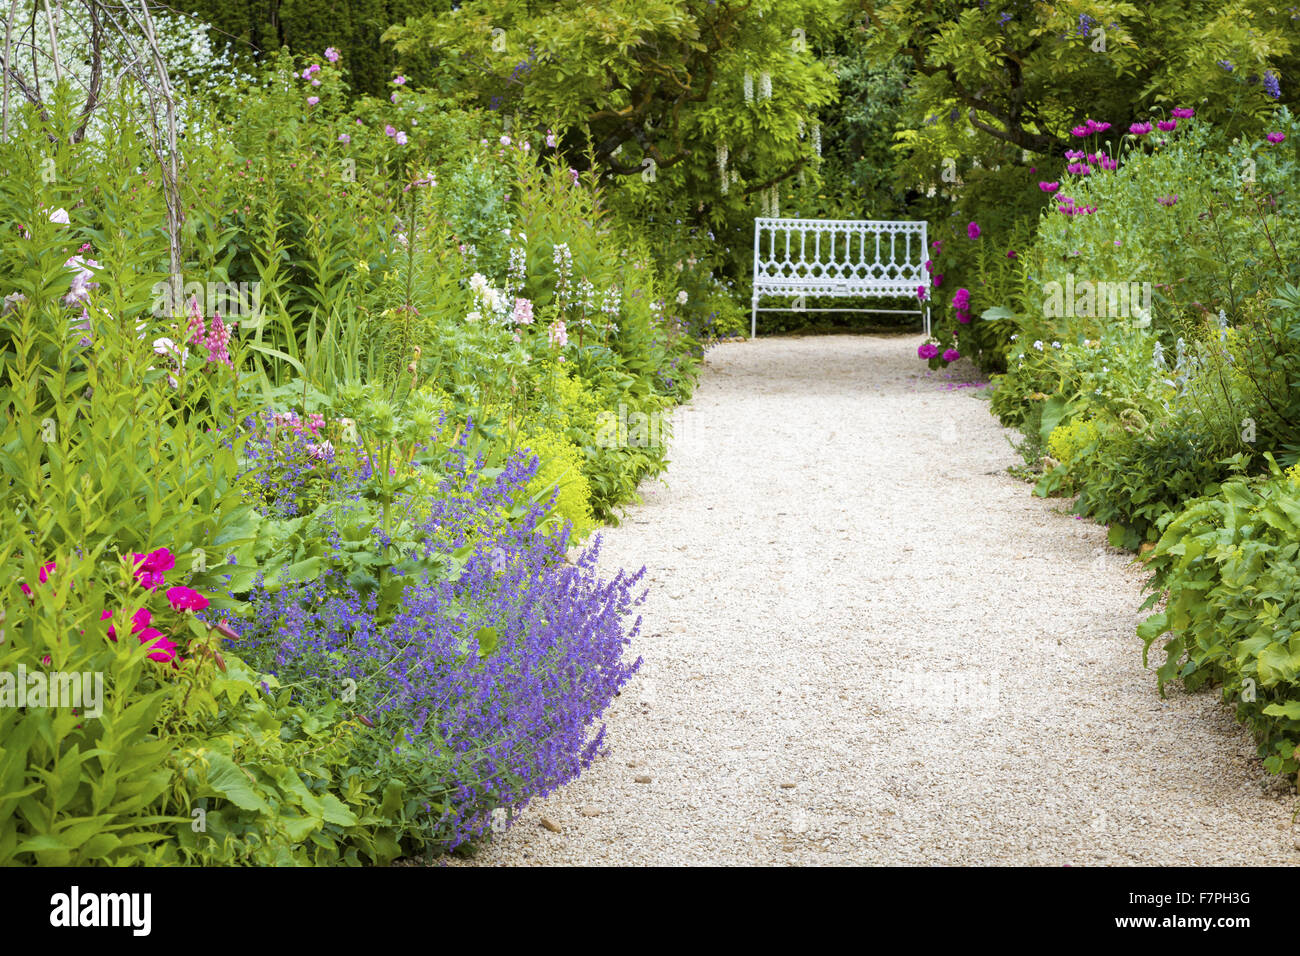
(866,643)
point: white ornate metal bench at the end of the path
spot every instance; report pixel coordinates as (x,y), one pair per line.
(840,258)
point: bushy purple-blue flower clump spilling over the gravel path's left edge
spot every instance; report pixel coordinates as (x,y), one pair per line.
(488,681)
